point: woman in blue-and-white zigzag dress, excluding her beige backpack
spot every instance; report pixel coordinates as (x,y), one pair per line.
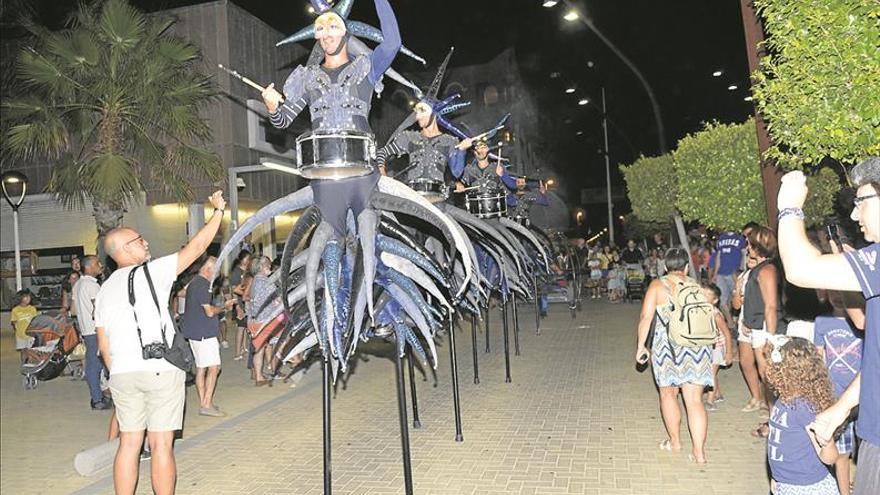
(676,369)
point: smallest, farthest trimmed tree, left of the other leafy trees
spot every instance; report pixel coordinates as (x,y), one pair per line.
(652,187)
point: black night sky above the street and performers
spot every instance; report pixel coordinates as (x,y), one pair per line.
(677,45)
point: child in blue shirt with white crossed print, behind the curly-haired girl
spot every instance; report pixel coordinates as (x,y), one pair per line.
(842,348)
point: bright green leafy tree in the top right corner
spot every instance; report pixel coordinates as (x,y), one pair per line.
(819,86)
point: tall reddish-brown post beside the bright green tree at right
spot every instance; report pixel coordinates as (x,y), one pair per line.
(771,175)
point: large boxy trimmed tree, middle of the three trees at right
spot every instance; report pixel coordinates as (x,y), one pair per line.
(719,176)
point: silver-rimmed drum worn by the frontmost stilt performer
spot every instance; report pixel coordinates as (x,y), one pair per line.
(335,155)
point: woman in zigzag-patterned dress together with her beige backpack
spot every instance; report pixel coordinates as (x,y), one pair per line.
(682,321)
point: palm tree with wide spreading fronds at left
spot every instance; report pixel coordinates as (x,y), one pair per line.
(114,101)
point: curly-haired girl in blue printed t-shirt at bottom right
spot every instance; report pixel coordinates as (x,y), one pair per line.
(797,373)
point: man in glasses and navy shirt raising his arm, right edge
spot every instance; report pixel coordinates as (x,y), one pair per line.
(857,270)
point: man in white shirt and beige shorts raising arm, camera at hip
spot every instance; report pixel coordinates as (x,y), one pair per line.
(136,335)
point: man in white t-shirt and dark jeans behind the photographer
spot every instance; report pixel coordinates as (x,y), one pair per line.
(84,293)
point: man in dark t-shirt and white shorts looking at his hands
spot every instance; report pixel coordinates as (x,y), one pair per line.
(201,323)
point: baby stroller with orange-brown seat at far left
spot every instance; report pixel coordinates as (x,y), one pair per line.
(55,338)
